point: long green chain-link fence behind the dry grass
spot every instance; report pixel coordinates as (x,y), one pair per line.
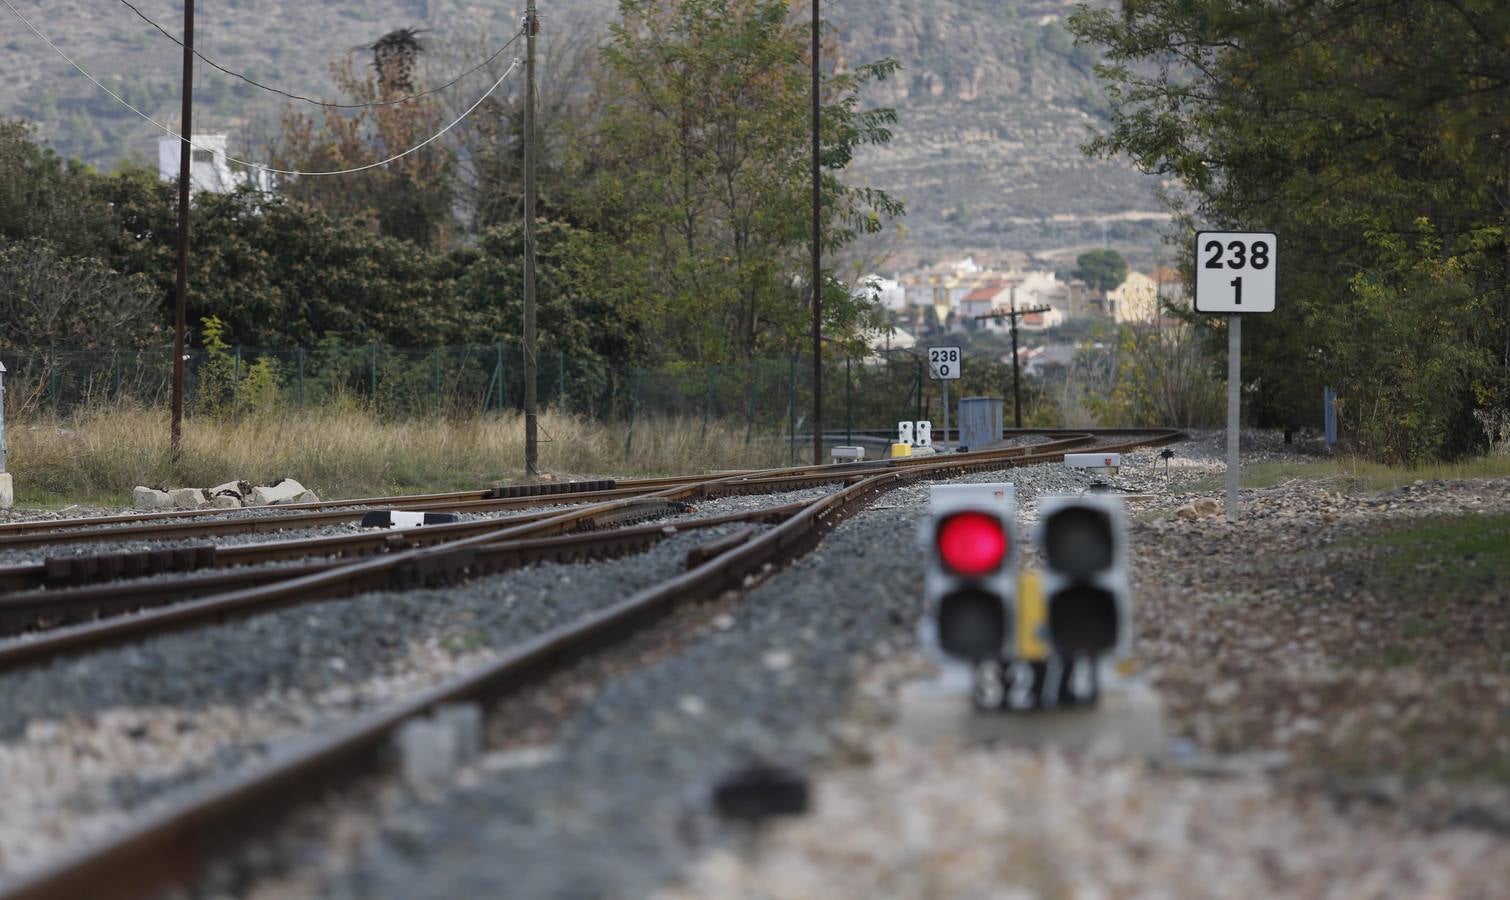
(765,396)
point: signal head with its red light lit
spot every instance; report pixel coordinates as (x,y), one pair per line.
(972,576)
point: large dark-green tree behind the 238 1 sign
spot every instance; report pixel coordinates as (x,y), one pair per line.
(1370,137)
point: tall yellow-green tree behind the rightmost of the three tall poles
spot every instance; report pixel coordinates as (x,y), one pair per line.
(697,164)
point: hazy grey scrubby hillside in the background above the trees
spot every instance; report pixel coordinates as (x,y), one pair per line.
(994,97)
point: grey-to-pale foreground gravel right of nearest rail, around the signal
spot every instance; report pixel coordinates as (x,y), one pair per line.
(617,803)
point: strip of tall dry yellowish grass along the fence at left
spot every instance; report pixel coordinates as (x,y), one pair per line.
(99,457)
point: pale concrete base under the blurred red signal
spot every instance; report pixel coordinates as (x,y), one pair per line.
(1129,721)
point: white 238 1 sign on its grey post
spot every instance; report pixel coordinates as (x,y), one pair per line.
(1236,274)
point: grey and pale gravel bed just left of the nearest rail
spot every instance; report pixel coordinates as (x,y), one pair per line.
(91,739)
